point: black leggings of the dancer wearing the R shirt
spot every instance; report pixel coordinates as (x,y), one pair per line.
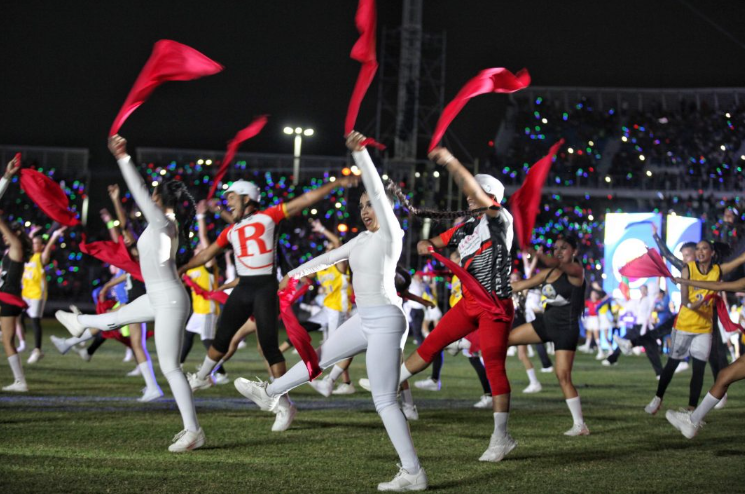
(254,296)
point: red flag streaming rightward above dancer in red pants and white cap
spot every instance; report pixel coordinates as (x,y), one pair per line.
(496,80)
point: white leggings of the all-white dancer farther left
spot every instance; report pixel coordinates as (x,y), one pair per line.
(167,304)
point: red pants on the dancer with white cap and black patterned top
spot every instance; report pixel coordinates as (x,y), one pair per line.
(468,316)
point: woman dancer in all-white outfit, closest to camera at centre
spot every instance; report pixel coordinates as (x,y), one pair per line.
(379,327)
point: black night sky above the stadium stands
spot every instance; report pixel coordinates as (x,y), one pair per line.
(67,66)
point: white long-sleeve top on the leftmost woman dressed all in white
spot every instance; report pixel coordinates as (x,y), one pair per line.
(158,244)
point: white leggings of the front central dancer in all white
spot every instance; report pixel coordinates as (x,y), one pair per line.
(382,332)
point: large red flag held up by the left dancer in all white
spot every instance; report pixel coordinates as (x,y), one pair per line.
(169,61)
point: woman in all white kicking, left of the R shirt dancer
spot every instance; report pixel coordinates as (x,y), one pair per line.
(166,301)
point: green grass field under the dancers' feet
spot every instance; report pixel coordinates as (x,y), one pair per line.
(80,430)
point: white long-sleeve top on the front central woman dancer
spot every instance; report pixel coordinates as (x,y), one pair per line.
(372,255)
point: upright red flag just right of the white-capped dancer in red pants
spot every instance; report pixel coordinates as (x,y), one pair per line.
(525,202)
